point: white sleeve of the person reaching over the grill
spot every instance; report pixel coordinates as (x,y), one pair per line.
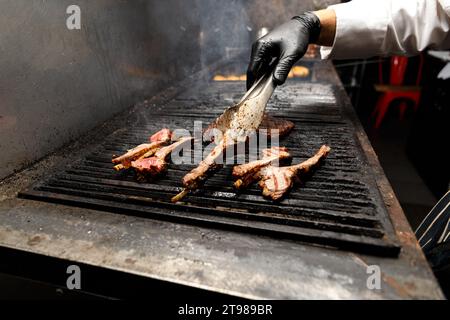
(366,28)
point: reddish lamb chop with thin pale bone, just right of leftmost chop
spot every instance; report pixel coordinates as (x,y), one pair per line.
(156,165)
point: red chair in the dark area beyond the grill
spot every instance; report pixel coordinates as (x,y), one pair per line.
(396,89)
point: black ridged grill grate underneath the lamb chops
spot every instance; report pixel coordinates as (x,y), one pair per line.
(339,206)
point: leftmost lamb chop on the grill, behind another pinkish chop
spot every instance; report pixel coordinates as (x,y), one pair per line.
(144,150)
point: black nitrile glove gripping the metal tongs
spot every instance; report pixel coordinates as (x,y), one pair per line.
(288,43)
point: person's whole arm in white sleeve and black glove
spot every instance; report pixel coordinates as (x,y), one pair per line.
(356,29)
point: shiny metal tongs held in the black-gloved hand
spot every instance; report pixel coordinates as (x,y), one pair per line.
(245,117)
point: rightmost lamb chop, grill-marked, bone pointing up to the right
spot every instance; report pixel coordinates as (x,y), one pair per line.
(276,181)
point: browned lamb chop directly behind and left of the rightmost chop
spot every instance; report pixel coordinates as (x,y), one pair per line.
(250,172)
